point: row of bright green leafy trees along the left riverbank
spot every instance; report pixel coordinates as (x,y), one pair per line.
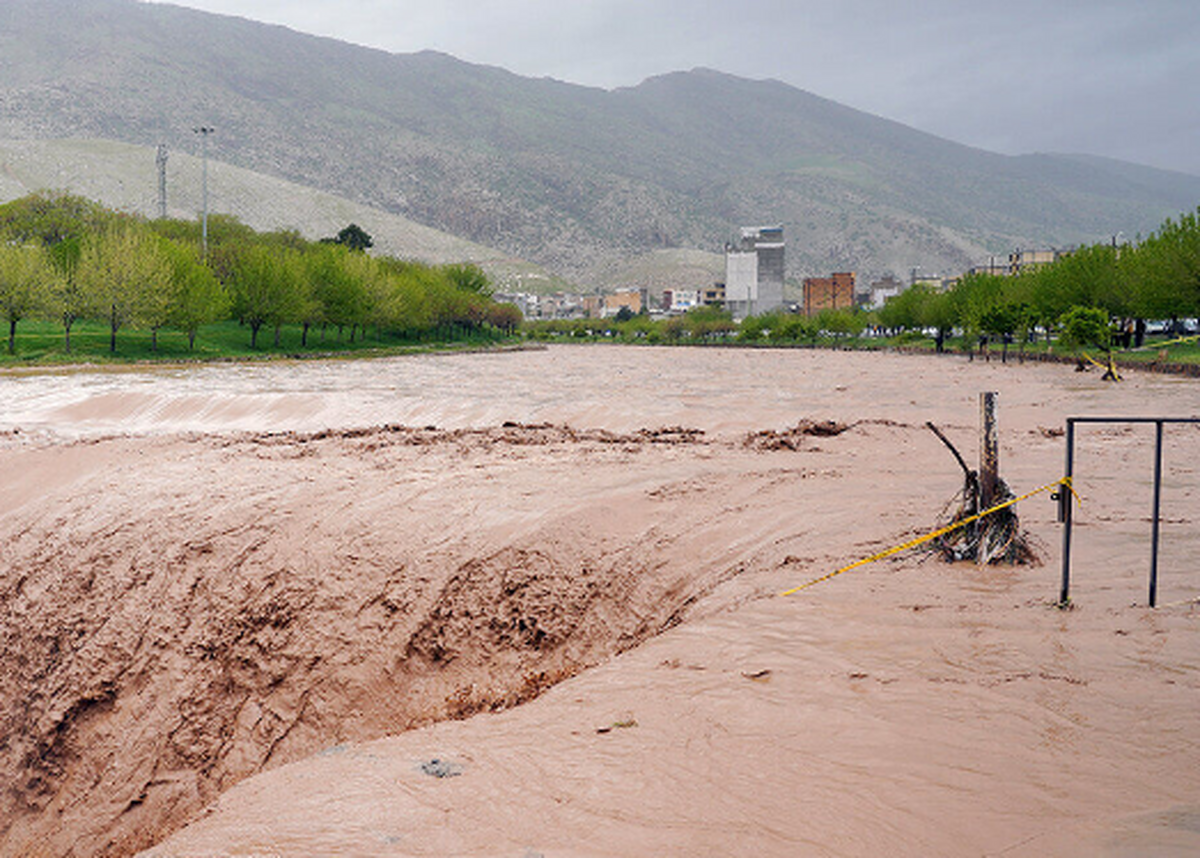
(65,259)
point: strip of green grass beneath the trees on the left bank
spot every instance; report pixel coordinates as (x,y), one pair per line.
(41,344)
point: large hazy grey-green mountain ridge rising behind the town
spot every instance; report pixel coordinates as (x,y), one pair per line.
(578,179)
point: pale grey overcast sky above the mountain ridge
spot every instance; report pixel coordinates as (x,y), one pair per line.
(1106,77)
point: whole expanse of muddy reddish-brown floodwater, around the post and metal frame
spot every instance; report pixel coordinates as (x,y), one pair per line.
(529,604)
